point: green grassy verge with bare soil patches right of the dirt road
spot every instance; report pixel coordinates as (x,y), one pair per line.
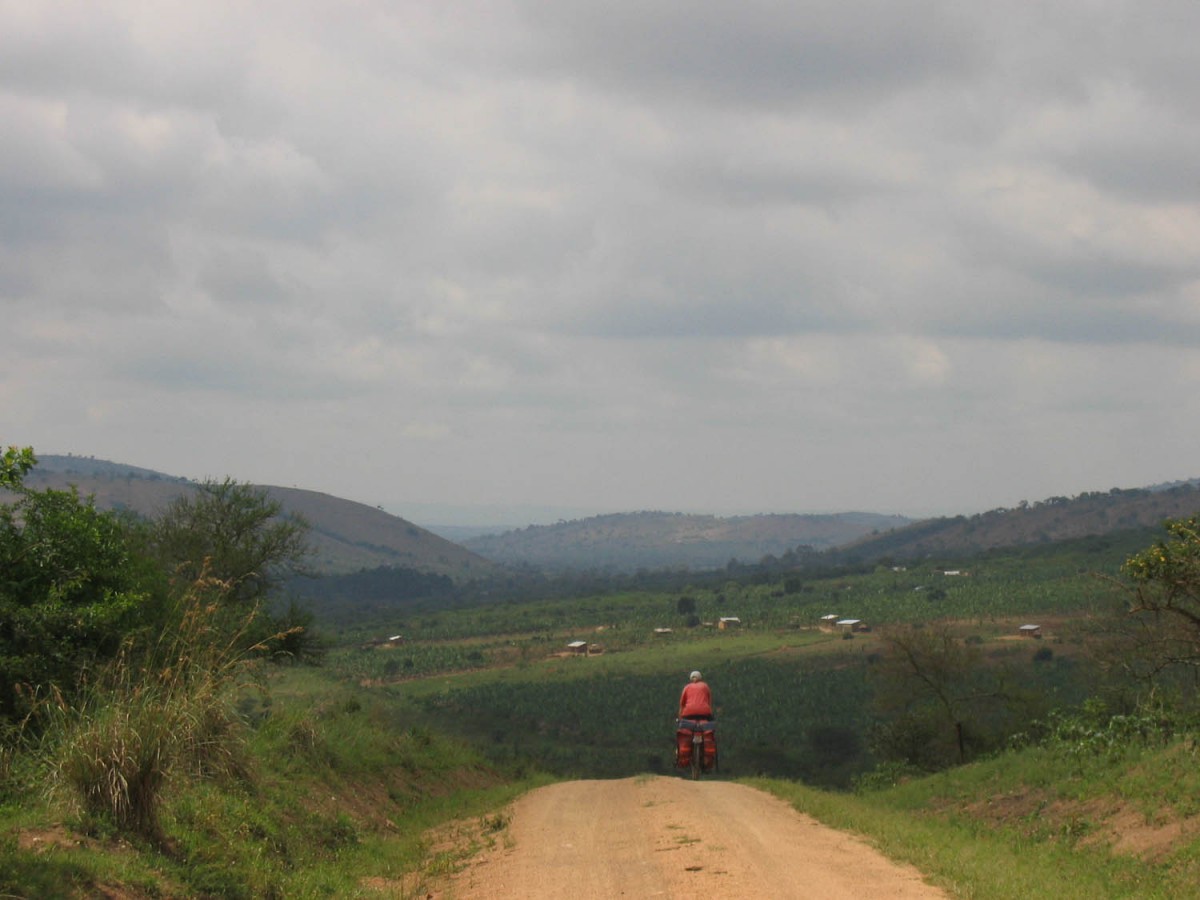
(1031,824)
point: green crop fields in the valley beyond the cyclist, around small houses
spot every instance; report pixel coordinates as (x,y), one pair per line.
(794,701)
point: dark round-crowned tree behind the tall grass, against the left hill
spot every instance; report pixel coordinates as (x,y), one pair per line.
(236,533)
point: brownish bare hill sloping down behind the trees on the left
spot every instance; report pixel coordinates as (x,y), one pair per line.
(347,537)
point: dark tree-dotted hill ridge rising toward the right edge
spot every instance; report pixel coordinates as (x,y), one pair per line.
(1053,520)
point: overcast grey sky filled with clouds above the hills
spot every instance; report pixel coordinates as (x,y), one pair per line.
(926,257)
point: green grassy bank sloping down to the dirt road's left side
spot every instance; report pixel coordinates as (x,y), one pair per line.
(338,789)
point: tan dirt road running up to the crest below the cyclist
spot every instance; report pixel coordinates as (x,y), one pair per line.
(673,838)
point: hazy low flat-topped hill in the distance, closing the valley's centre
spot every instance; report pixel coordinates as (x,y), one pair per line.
(662,541)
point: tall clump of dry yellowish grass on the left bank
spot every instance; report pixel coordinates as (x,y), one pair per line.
(155,713)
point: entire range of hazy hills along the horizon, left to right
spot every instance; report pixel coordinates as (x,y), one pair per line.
(352,537)
